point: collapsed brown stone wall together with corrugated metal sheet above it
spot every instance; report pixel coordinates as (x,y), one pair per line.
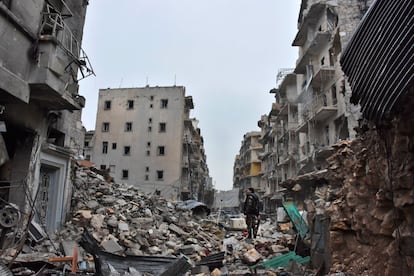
(372,228)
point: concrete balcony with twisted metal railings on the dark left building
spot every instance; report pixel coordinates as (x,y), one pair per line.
(53,84)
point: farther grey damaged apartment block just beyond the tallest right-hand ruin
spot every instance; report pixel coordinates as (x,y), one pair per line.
(279,139)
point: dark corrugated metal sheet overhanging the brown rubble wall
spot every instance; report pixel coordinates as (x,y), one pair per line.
(379,59)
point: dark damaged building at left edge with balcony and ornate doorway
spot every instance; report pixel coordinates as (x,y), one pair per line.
(40,108)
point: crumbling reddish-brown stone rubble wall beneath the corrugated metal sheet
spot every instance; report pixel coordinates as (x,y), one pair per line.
(372,214)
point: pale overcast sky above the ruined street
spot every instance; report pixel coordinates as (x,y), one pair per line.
(225,52)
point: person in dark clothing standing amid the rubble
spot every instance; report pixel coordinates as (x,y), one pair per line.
(251,211)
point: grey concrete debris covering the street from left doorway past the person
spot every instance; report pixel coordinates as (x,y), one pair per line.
(127,223)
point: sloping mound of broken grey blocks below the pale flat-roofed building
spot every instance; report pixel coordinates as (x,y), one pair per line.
(125,221)
